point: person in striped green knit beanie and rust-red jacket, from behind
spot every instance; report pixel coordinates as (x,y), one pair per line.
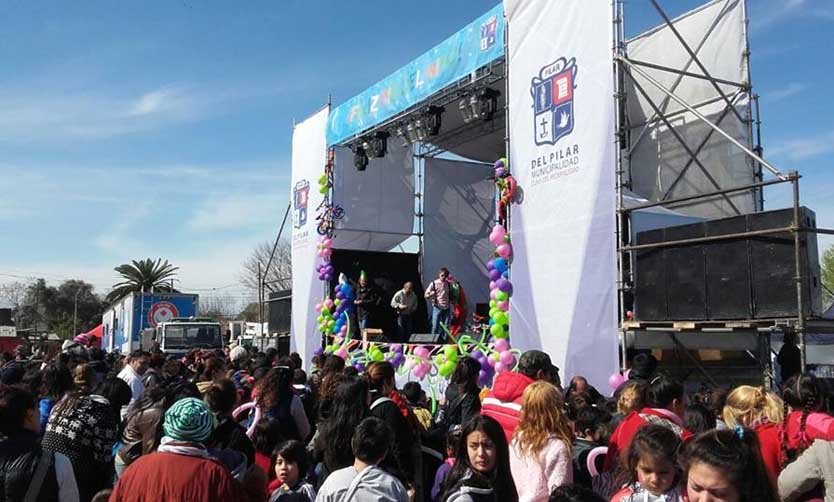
(181,468)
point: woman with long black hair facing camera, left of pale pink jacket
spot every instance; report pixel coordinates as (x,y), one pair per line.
(482,467)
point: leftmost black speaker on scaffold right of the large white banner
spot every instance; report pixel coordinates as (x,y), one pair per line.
(650,278)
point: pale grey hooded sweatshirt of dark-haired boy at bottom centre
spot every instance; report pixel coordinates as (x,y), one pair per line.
(372,484)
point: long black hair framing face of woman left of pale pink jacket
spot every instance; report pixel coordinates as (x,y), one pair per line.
(500,478)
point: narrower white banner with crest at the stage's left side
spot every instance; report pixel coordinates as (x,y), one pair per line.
(309,155)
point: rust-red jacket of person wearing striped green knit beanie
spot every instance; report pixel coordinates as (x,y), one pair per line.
(173,477)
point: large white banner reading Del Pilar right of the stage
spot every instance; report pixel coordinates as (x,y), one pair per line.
(562,154)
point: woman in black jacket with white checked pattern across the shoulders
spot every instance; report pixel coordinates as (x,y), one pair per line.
(84,428)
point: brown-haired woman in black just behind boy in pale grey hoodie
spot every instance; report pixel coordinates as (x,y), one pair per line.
(388,405)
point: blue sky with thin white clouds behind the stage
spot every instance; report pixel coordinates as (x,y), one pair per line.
(162,128)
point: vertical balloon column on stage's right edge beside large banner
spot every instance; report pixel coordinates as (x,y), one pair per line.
(501,289)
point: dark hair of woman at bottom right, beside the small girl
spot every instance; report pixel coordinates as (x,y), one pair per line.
(735,453)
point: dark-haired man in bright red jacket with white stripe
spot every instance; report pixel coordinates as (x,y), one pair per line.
(503,403)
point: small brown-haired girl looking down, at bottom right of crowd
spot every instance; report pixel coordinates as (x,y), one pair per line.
(652,465)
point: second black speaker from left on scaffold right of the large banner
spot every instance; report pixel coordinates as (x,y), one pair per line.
(686,278)
